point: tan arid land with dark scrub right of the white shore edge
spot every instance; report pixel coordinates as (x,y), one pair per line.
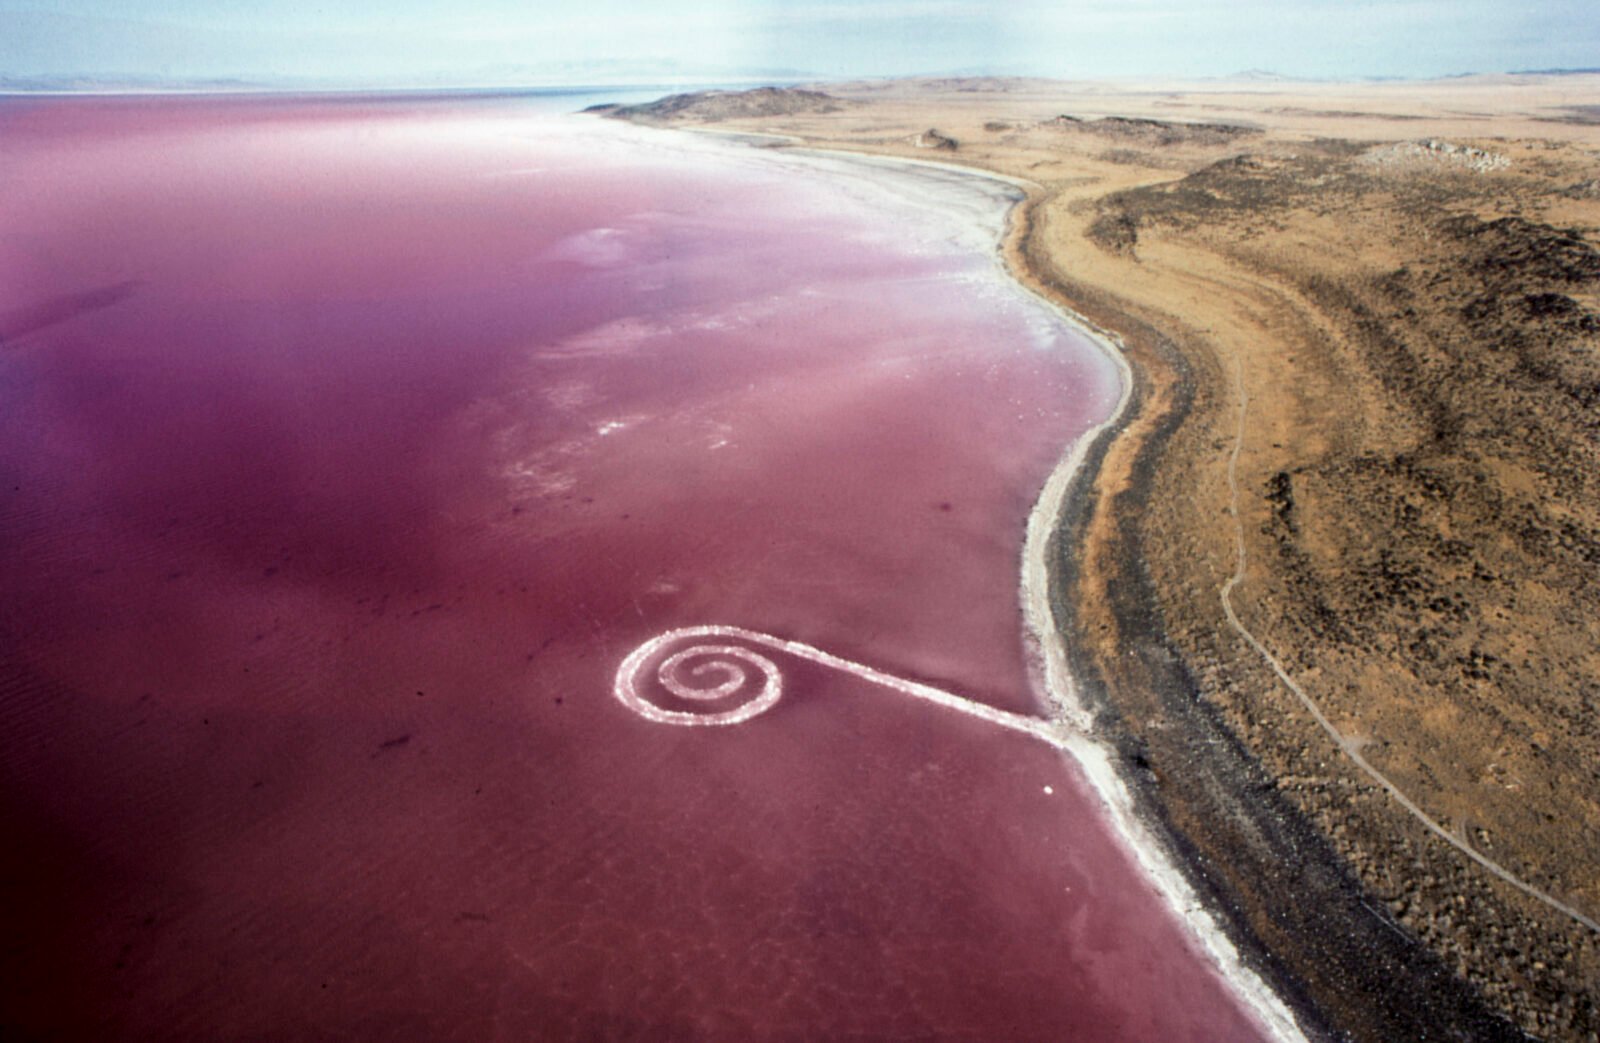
(1366,327)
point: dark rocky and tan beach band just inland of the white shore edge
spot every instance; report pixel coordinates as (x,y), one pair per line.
(1282,892)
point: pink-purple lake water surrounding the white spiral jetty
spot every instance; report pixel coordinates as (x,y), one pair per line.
(346,452)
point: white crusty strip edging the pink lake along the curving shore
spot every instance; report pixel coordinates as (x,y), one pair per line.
(983,204)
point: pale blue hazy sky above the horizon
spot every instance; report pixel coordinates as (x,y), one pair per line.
(566,41)
